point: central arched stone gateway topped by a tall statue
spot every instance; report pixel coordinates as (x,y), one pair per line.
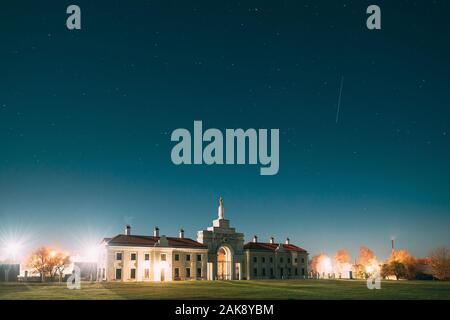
(225,248)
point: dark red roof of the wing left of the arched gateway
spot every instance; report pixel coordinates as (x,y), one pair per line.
(150,241)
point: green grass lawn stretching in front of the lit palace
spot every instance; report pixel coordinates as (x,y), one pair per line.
(264,289)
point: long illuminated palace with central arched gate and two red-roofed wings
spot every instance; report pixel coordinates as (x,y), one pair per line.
(219,253)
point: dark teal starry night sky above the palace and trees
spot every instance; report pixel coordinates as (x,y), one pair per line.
(86,118)
